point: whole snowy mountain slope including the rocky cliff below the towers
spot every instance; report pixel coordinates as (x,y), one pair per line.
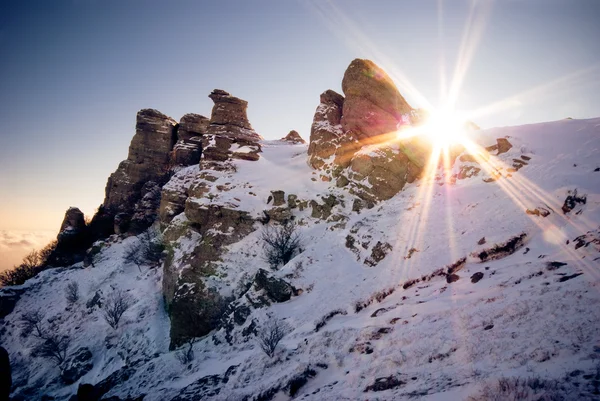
(484,270)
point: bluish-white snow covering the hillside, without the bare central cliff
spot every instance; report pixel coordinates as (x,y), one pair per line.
(381,274)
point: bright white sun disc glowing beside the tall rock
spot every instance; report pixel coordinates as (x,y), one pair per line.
(445,128)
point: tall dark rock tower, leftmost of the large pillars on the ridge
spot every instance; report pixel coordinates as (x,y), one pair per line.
(148,160)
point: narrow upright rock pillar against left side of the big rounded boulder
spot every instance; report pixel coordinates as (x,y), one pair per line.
(326,128)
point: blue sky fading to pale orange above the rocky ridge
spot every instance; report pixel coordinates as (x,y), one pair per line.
(74,73)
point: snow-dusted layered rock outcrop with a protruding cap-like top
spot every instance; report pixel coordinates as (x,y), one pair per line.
(229,135)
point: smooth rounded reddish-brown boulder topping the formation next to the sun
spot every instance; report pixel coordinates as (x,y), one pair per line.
(372,106)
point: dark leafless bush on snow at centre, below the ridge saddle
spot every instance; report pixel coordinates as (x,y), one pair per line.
(280,244)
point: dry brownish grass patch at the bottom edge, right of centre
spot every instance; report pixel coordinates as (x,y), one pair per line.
(520,389)
